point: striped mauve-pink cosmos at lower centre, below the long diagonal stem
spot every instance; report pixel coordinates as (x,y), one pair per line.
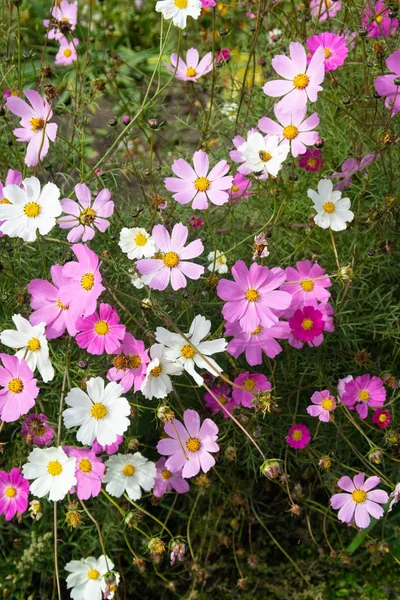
(189,446)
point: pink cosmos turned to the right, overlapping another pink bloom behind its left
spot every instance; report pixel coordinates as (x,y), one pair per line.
(84,287)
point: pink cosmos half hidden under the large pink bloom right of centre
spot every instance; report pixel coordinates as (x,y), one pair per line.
(262,339)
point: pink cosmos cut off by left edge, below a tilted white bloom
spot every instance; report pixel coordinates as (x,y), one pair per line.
(19,388)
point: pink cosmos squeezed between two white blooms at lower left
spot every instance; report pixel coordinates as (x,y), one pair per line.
(89,472)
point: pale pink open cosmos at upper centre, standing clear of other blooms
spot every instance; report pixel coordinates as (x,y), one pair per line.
(198,184)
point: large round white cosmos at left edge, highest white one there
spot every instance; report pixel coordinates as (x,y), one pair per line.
(30,209)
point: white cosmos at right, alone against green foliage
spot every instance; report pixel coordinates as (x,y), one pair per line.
(333,210)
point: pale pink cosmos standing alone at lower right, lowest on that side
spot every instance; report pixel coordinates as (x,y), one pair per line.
(360,500)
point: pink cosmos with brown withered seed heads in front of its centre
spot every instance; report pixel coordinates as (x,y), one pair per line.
(130,362)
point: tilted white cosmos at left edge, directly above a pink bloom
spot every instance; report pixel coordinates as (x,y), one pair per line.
(32,344)
